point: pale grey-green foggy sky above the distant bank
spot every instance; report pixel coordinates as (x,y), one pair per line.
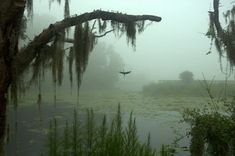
(164,49)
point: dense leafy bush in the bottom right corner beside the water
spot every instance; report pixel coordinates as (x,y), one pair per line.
(212,131)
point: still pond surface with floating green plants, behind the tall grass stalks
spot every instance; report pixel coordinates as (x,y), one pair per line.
(159,116)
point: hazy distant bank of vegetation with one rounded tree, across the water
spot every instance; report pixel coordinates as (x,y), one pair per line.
(186,86)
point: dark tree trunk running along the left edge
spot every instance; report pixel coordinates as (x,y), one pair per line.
(10,20)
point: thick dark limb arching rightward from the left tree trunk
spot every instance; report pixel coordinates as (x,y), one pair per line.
(27,54)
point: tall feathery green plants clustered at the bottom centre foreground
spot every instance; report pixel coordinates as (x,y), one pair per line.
(103,139)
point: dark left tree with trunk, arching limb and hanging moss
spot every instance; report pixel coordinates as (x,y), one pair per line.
(47,48)
